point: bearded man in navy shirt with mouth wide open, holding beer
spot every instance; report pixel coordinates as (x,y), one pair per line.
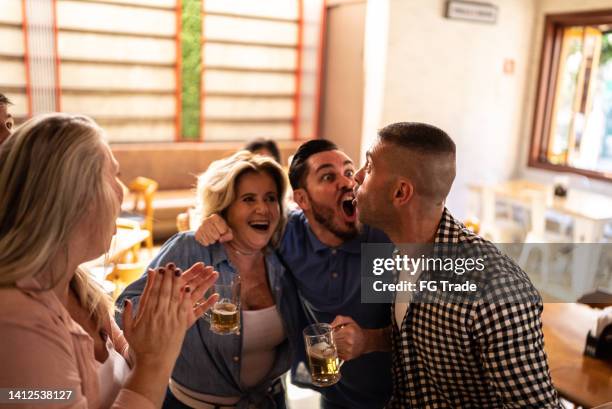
(321,246)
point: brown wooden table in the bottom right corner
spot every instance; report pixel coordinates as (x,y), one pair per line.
(580,379)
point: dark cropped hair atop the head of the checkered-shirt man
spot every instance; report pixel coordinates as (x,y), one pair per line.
(417,136)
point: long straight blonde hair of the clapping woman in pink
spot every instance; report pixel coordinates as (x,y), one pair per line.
(51,177)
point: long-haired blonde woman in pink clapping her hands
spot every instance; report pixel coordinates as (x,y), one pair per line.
(61,196)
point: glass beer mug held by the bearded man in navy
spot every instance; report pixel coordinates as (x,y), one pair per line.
(322,354)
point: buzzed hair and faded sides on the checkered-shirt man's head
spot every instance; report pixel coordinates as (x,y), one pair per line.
(423,154)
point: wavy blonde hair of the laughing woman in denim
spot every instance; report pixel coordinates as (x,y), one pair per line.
(217,186)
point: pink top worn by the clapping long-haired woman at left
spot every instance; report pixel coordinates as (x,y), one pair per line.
(43,347)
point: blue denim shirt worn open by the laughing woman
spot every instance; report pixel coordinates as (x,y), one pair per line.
(210,363)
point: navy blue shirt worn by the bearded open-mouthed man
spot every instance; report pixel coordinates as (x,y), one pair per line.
(329,282)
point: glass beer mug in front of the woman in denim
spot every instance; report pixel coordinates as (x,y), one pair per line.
(224,316)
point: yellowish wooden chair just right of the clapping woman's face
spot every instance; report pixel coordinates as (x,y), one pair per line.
(142,190)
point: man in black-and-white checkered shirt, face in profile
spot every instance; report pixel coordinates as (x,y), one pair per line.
(476,354)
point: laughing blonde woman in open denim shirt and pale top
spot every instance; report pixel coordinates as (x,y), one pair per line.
(244,370)
